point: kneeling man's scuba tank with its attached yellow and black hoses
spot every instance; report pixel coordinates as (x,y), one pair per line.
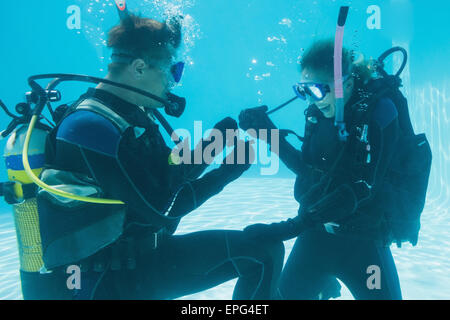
(25,159)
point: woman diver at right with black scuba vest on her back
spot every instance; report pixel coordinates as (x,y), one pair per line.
(359,189)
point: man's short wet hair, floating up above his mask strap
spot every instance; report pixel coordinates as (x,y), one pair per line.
(145,38)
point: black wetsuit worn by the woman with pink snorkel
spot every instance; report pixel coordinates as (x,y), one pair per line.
(319,256)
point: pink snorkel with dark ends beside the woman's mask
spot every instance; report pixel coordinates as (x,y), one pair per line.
(338,83)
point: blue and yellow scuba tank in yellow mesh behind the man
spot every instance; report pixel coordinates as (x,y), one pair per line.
(20,191)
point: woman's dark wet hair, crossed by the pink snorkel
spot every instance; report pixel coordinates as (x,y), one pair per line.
(320,57)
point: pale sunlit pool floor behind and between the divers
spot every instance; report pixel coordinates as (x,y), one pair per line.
(424,270)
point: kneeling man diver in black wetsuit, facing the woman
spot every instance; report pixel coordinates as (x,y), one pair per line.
(107,145)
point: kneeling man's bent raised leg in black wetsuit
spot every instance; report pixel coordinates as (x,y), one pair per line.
(195,262)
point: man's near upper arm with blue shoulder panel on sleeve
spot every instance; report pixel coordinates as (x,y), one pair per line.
(89,143)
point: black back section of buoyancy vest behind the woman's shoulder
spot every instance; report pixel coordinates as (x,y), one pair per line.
(406,180)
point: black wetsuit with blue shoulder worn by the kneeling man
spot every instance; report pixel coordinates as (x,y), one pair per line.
(134,168)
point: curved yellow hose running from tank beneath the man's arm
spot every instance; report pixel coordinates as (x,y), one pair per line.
(51,189)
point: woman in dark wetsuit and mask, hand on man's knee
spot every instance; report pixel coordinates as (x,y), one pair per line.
(336,184)
